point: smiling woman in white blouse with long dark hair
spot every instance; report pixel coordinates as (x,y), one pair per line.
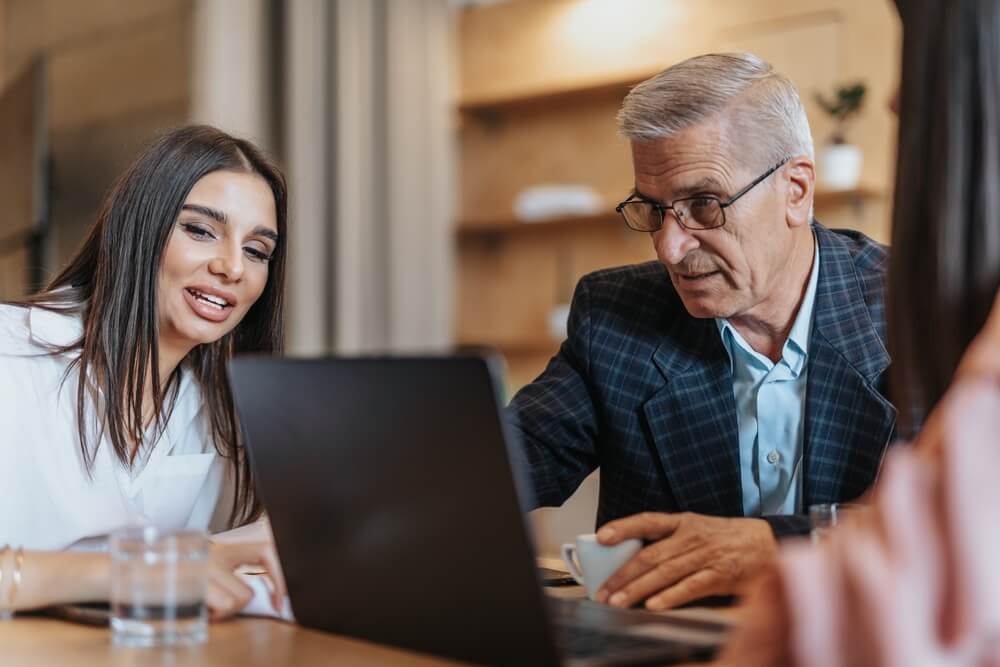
(114,399)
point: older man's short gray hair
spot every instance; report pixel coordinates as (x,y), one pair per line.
(761,104)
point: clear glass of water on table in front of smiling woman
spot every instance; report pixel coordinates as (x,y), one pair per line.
(158,584)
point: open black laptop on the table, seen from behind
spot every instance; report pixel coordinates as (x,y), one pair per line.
(395,499)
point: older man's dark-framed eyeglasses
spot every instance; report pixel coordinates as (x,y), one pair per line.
(694,213)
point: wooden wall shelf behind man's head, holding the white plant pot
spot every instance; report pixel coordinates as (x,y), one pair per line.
(610,219)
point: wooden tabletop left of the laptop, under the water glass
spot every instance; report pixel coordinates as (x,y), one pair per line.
(42,642)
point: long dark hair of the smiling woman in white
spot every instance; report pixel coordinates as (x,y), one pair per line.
(112,283)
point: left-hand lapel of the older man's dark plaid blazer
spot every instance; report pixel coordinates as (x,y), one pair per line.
(692,420)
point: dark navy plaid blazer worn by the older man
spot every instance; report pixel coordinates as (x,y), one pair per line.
(644,391)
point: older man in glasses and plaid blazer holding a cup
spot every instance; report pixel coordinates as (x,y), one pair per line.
(739,379)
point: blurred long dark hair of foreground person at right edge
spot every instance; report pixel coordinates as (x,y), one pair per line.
(945,266)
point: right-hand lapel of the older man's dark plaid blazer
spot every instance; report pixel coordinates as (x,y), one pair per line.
(848,423)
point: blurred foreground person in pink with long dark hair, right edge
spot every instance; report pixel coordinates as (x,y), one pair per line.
(914,580)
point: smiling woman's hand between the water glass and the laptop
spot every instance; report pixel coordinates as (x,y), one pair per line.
(227,593)
